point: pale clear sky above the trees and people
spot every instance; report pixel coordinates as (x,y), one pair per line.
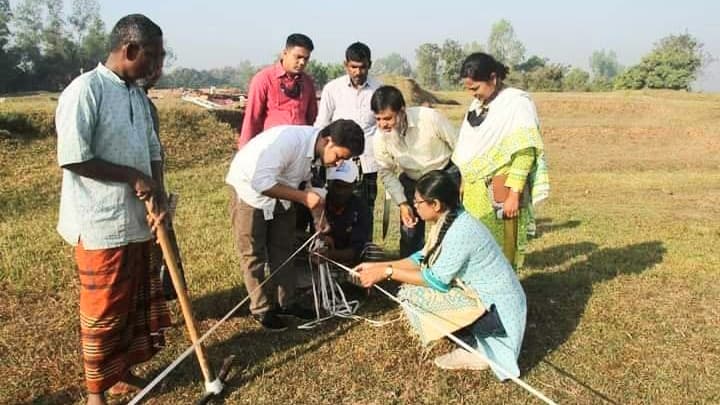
(215,33)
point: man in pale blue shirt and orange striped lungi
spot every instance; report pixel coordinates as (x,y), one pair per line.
(111,160)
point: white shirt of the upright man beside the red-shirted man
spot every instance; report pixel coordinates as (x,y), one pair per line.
(341,100)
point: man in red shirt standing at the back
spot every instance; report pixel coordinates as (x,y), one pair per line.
(281,94)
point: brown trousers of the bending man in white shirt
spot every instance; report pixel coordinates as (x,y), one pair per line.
(260,243)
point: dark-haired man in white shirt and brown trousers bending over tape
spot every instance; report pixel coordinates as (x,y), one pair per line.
(265,175)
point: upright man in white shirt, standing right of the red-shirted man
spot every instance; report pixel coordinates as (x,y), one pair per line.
(348,97)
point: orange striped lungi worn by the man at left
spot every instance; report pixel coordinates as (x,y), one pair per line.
(122,311)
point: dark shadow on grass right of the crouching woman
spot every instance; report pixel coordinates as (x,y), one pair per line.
(557,300)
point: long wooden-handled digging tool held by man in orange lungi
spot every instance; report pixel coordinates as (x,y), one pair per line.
(213,385)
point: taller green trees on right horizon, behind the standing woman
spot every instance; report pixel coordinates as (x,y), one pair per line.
(674,63)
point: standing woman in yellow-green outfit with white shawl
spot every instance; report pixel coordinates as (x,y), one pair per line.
(500,154)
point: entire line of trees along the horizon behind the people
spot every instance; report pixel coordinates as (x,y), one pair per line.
(44,48)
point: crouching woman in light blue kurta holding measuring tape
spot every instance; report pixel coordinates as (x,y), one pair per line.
(460,281)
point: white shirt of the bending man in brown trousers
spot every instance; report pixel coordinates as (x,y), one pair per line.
(281,155)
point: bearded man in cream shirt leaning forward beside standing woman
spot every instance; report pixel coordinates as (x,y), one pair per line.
(409,143)
